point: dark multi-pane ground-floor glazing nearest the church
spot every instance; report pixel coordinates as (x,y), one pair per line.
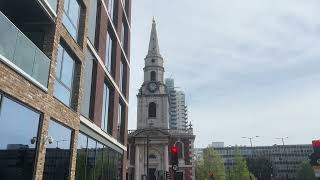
(98,161)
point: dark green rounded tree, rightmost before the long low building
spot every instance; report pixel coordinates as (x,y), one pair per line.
(261,167)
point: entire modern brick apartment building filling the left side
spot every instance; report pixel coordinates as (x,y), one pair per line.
(64,78)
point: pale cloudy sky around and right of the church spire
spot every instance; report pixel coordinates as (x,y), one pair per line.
(249,67)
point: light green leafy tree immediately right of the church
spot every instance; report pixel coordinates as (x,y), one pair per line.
(211,166)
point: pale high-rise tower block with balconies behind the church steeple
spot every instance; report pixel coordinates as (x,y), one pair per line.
(178,118)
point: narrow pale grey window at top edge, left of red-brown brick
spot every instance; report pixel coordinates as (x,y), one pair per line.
(92,20)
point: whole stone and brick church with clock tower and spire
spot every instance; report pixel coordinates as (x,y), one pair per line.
(149,155)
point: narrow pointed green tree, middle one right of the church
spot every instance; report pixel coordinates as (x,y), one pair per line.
(240,170)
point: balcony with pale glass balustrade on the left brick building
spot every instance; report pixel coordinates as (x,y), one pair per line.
(19,52)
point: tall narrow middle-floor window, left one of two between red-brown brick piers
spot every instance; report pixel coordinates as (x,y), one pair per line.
(106,123)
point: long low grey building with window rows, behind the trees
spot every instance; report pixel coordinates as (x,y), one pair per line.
(285,160)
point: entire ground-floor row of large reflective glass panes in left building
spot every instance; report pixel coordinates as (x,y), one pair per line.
(97,158)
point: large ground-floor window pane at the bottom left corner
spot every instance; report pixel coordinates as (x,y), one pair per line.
(19,139)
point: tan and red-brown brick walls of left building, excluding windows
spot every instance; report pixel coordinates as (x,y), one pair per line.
(15,85)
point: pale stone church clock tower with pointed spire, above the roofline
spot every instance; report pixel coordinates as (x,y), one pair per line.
(153,104)
